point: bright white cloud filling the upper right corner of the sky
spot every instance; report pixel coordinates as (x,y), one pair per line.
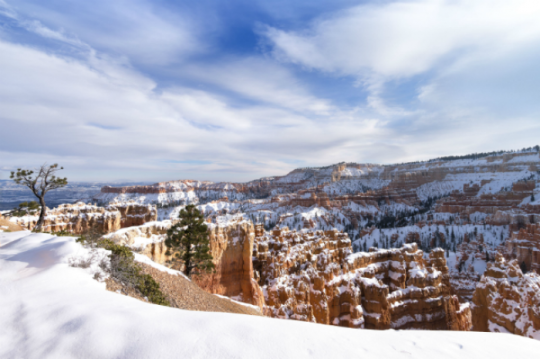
(405,38)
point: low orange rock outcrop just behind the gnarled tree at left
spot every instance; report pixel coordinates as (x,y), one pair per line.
(80,217)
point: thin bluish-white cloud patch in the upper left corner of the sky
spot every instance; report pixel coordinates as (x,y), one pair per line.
(138,29)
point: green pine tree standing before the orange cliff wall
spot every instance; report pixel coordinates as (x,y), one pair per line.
(189,242)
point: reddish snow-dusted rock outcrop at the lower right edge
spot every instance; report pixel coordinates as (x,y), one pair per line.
(507,301)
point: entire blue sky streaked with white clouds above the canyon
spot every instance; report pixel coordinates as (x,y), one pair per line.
(242,89)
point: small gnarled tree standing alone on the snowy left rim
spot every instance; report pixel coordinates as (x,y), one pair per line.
(40,183)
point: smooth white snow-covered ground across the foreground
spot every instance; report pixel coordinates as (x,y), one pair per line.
(52,310)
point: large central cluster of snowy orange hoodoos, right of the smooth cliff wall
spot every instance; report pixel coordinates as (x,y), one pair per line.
(314,277)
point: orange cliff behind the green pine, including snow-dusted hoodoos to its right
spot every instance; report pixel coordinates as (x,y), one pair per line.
(313,276)
